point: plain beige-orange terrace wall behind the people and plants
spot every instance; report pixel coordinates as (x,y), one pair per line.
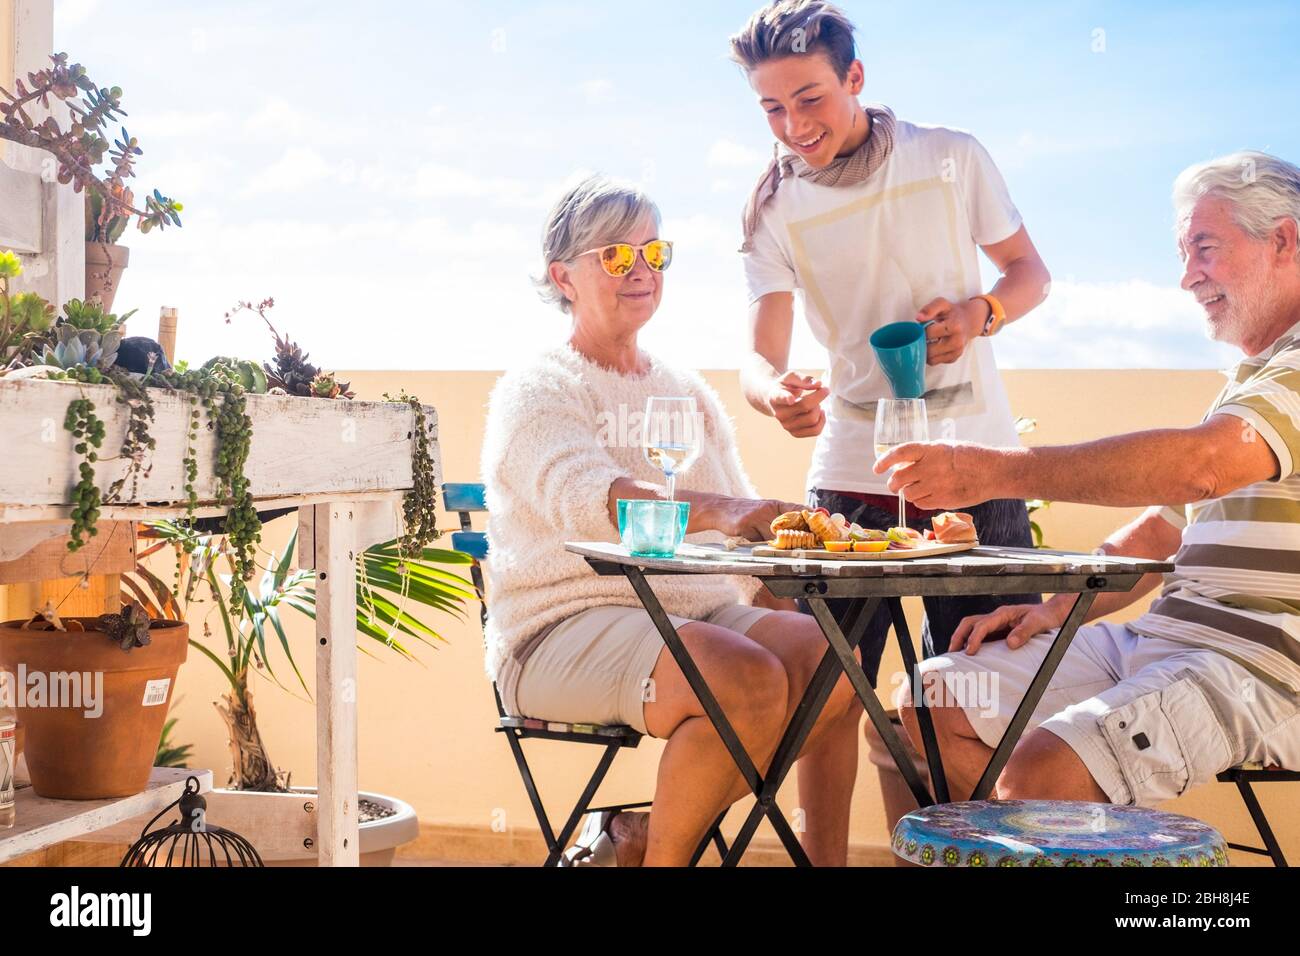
(426,729)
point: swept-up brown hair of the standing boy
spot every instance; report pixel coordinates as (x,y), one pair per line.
(790,28)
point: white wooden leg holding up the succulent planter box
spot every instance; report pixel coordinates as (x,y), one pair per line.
(336,684)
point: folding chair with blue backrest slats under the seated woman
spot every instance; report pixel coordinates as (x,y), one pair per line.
(467,500)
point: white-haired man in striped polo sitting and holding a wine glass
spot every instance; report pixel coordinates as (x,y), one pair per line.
(1211,676)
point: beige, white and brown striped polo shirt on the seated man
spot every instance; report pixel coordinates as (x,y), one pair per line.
(1236,586)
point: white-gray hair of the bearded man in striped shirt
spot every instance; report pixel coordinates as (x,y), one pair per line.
(1262,189)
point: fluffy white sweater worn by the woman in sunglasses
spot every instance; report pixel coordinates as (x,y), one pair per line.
(558,435)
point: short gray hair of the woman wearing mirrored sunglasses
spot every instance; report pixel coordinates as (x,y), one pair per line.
(593,213)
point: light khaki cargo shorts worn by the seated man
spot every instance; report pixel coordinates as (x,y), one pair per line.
(1149,717)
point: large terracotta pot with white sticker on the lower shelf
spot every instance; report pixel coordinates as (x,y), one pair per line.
(96,732)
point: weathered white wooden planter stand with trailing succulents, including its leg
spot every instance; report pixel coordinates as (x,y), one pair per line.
(345,466)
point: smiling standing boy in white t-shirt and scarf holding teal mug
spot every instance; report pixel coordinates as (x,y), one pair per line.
(876,220)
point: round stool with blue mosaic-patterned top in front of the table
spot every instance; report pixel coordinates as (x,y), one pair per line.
(1055,833)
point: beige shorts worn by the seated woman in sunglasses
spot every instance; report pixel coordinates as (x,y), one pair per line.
(595,668)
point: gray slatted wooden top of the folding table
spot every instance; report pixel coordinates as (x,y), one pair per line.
(694,559)
